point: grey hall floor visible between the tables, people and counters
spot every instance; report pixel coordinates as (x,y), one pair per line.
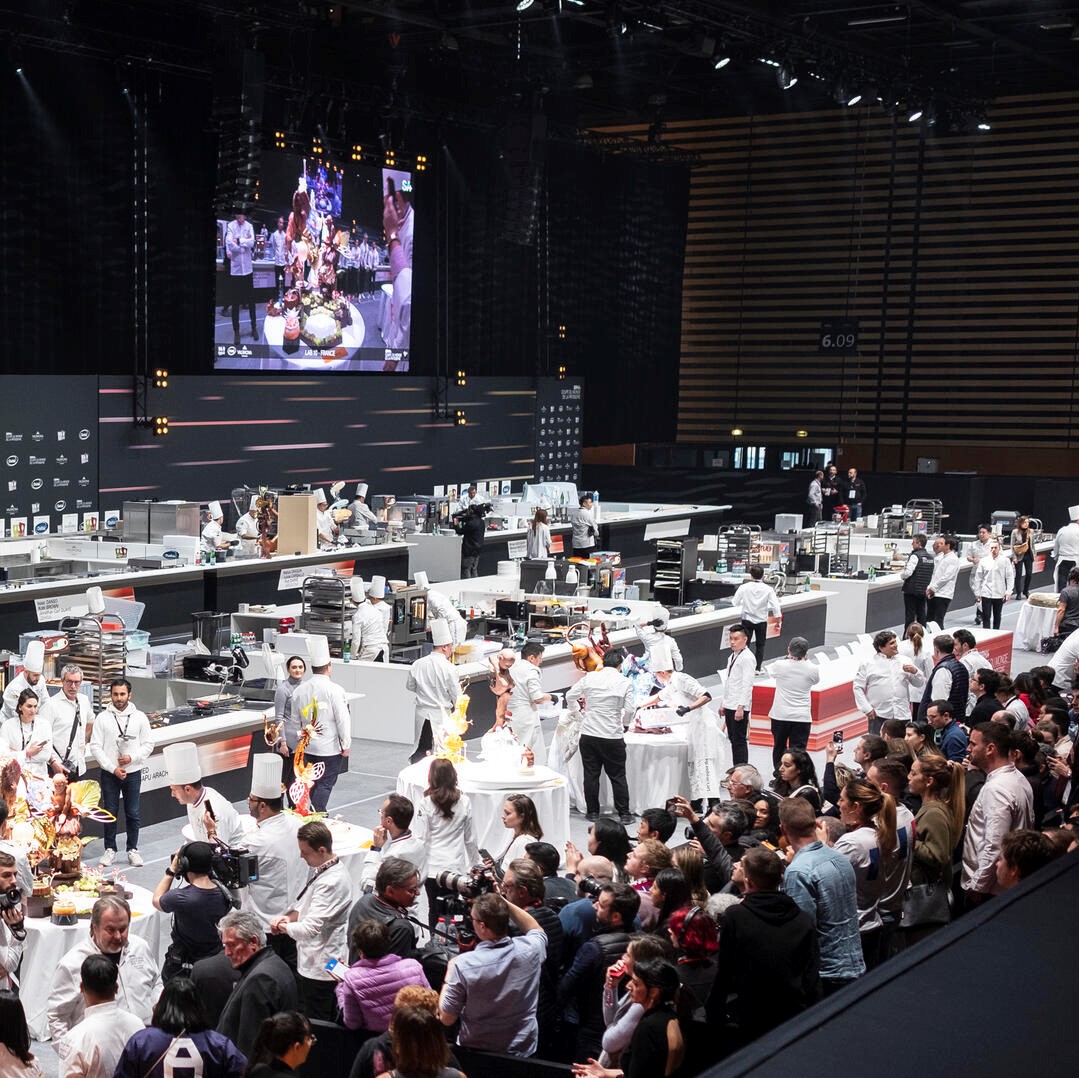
(360,793)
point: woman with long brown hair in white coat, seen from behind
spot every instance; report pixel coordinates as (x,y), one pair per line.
(444,825)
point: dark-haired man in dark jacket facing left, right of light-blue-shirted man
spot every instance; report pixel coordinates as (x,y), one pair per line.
(581,989)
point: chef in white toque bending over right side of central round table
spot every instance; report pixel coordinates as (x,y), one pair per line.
(711,756)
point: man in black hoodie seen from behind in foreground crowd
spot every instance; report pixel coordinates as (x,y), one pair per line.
(770,961)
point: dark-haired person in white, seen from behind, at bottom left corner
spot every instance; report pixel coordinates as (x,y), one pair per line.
(92,1049)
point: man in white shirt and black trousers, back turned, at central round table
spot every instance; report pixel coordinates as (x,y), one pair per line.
(608,708)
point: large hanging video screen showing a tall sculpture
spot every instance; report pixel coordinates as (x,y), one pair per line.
(318,275)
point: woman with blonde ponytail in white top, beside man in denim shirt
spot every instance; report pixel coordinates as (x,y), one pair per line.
(870,845)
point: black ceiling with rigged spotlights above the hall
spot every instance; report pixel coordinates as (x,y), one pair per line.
(584,63)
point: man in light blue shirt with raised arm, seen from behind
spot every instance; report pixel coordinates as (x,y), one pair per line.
(495,990)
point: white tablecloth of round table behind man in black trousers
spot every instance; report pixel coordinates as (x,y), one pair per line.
(658,768)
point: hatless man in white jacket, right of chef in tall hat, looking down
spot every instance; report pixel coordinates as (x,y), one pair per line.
(319,921)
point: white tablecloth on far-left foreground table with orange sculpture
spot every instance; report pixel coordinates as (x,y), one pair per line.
(47,945)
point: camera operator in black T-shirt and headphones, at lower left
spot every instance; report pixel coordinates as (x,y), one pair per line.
(196,909)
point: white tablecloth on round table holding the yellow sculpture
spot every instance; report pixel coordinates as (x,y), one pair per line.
(549,790)
